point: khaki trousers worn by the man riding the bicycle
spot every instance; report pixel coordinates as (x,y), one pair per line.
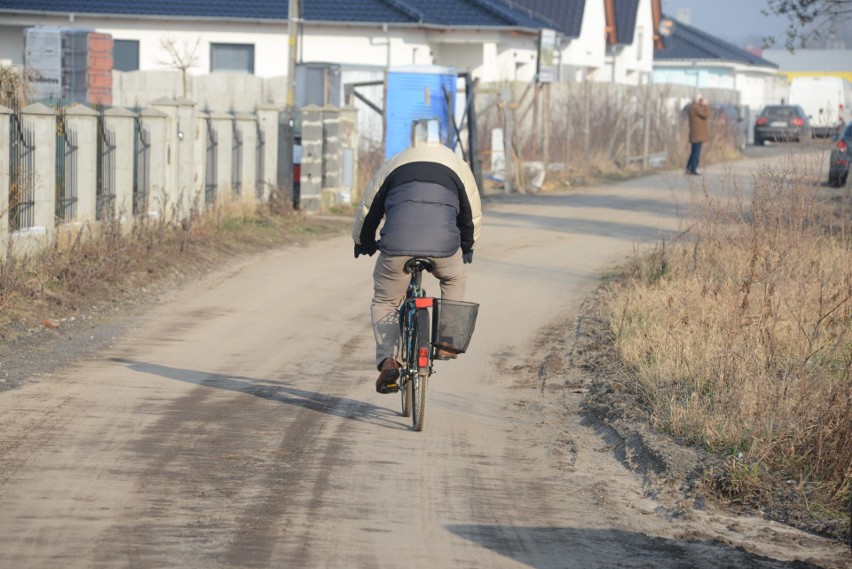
(391,282)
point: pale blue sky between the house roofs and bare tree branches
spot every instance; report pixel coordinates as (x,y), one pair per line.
(739,22)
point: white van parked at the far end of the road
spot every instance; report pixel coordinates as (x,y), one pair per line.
(827,101)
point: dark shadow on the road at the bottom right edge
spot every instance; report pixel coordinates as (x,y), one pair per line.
(549,547)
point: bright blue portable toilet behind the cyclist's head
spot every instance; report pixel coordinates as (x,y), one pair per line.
(418,92)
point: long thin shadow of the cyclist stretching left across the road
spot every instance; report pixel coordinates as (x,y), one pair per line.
(274,391)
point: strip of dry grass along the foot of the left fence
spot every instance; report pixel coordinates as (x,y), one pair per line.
(87,264)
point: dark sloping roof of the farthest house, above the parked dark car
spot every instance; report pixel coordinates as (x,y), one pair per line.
(689,43)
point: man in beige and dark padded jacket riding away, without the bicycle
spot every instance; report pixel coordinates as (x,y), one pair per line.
(428,199)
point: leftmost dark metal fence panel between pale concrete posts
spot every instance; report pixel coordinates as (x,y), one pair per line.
(21,175)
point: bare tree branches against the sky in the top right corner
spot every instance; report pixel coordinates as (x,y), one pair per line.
(809,20)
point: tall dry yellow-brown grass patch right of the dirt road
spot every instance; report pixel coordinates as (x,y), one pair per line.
(739,338)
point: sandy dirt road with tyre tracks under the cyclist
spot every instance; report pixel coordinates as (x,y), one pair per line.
(237,425)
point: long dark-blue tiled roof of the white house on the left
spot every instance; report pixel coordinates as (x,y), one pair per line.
(479,13)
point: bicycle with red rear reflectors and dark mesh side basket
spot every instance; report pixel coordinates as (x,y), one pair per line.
(427,325)
